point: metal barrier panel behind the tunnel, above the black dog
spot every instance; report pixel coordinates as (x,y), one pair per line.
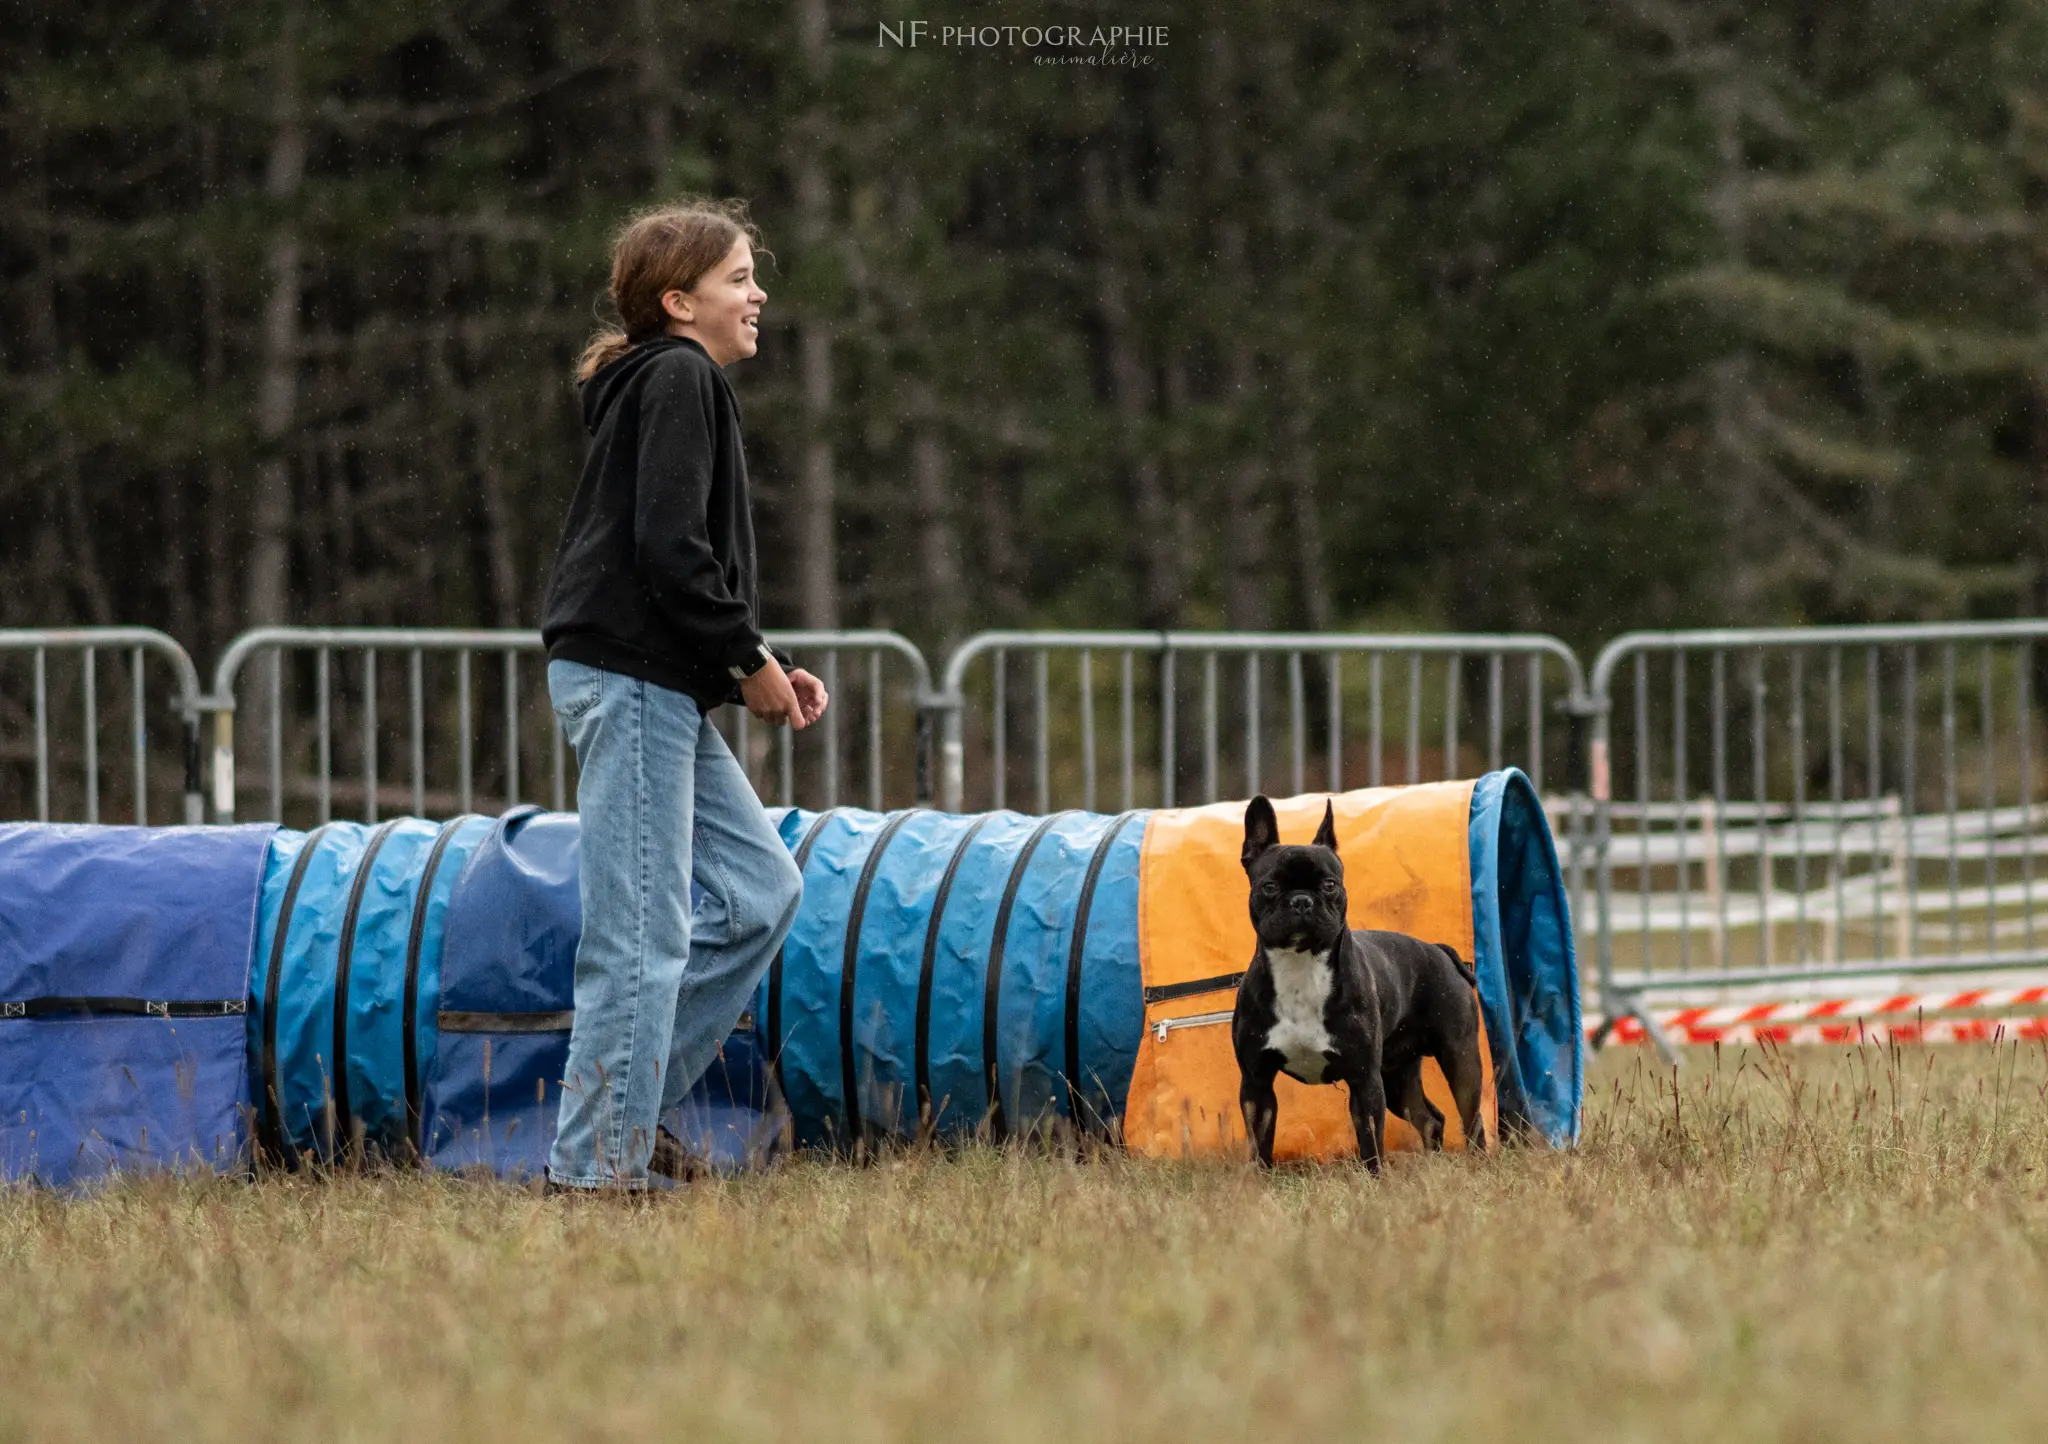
(1201,716)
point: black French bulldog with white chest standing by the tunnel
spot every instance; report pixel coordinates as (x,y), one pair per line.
(1328,1005)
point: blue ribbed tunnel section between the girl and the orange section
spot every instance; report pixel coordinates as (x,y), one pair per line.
(974,972)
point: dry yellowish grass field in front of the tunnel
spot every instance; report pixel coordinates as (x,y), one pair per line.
(1811,1246)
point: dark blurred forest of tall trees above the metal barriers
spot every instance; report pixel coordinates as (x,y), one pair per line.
(1551,316)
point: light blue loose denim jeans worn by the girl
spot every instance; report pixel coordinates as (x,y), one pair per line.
(658,984)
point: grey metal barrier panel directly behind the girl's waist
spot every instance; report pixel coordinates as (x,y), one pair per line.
(318,720)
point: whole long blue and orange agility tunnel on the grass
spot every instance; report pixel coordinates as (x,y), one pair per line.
(407,990)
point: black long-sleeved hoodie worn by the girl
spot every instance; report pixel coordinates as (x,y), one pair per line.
(654,577)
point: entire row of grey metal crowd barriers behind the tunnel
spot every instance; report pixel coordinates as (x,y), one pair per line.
(1779,806)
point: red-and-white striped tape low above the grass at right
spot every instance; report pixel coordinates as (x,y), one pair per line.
(1902,1017)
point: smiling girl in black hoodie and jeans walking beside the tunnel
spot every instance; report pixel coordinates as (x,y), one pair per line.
(652,622)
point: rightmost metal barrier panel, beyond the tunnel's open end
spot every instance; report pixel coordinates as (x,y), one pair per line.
(1803,806)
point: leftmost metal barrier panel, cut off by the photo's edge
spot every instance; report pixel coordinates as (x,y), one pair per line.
(67,777)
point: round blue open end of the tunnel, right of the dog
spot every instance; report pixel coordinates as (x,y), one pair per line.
(1527,964)
